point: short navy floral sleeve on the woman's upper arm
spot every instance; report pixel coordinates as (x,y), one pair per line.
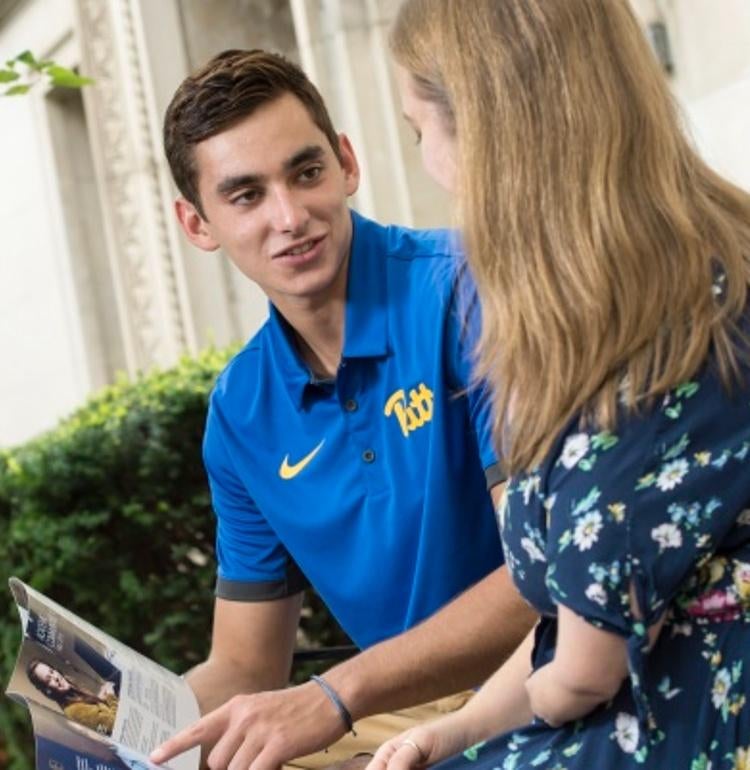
(646,505)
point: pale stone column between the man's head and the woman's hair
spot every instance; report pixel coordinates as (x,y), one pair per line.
(343,48)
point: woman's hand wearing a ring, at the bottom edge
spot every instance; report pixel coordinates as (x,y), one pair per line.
(423,745)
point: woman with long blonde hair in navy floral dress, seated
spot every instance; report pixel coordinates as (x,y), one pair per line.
(613,268)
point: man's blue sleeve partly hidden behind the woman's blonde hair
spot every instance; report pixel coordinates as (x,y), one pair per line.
(463,327)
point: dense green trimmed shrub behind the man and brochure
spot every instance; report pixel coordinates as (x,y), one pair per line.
(109,515)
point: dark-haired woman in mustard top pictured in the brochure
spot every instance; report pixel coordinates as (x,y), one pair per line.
(96,712)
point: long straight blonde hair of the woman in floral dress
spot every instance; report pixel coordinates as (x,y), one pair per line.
(593,229)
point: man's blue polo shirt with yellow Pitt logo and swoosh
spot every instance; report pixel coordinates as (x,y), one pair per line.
(372,486)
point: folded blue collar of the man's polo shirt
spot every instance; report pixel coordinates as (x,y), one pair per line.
(366,327)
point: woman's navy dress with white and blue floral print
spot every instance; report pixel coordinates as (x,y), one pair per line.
(663,503)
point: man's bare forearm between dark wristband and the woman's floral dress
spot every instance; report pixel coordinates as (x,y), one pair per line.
(457,648)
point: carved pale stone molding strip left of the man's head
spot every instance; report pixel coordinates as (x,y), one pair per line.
(151,304)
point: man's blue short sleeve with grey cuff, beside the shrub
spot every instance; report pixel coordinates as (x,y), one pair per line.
(253,565)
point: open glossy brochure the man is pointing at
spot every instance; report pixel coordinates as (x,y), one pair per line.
(95,704)
